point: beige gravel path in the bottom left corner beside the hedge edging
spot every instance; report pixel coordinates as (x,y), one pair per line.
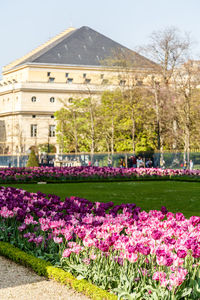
(20,283)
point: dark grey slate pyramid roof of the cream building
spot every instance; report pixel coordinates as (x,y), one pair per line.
(87,47)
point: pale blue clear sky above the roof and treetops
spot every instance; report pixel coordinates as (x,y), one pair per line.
(25,24)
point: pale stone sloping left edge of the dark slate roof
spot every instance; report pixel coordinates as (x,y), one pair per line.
(39,48)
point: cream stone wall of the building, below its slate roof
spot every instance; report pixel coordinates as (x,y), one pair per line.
(19,110)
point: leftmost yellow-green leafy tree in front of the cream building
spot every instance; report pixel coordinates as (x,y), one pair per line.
(78,125)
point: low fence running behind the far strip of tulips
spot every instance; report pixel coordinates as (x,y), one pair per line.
(164,160)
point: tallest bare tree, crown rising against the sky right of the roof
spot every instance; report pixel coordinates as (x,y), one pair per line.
(168,48)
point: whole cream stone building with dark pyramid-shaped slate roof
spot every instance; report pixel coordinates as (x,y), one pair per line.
(75,63)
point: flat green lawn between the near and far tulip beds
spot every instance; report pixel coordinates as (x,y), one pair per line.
(176,196)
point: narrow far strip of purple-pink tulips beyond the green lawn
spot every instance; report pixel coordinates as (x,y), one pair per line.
(66,174)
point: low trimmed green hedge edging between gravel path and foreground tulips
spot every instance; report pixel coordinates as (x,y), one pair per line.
(44,268)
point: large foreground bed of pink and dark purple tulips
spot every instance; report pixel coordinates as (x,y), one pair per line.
(118,248)
